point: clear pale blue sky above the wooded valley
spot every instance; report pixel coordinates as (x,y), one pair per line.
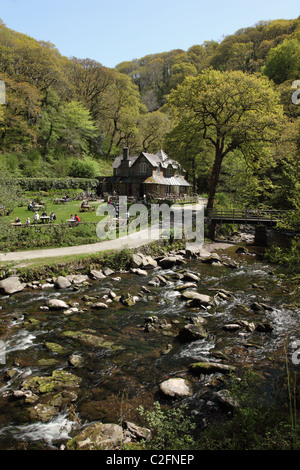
(114,31)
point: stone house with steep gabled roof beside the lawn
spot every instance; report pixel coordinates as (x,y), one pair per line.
(145,174)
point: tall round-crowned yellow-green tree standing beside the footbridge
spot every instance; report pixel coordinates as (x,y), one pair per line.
(228,111)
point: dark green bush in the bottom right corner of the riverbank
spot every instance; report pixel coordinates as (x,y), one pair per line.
(255,424)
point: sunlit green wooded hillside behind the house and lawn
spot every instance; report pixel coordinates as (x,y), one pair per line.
(70,117)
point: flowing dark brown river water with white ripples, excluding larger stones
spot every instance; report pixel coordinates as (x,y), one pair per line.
(116,381)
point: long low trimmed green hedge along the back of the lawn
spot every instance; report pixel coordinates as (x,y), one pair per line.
(46,184)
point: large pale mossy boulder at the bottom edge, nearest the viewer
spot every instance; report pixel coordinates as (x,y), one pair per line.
(97,436)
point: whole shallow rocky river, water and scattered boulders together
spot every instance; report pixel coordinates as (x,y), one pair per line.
(84,349)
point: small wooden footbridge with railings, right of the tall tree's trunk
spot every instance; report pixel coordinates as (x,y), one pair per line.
(260,218)
